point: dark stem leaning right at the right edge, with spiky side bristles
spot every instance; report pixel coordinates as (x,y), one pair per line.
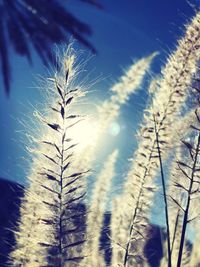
(186,213)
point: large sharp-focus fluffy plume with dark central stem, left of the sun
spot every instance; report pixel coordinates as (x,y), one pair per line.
(51,227)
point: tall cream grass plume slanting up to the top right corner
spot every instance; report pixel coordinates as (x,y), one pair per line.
(164,111)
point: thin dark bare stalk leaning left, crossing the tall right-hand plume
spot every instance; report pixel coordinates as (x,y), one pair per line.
(165,198)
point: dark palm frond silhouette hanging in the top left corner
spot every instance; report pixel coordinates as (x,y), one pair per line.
(38,25)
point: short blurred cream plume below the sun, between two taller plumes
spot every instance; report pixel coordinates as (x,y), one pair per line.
(97,209)
